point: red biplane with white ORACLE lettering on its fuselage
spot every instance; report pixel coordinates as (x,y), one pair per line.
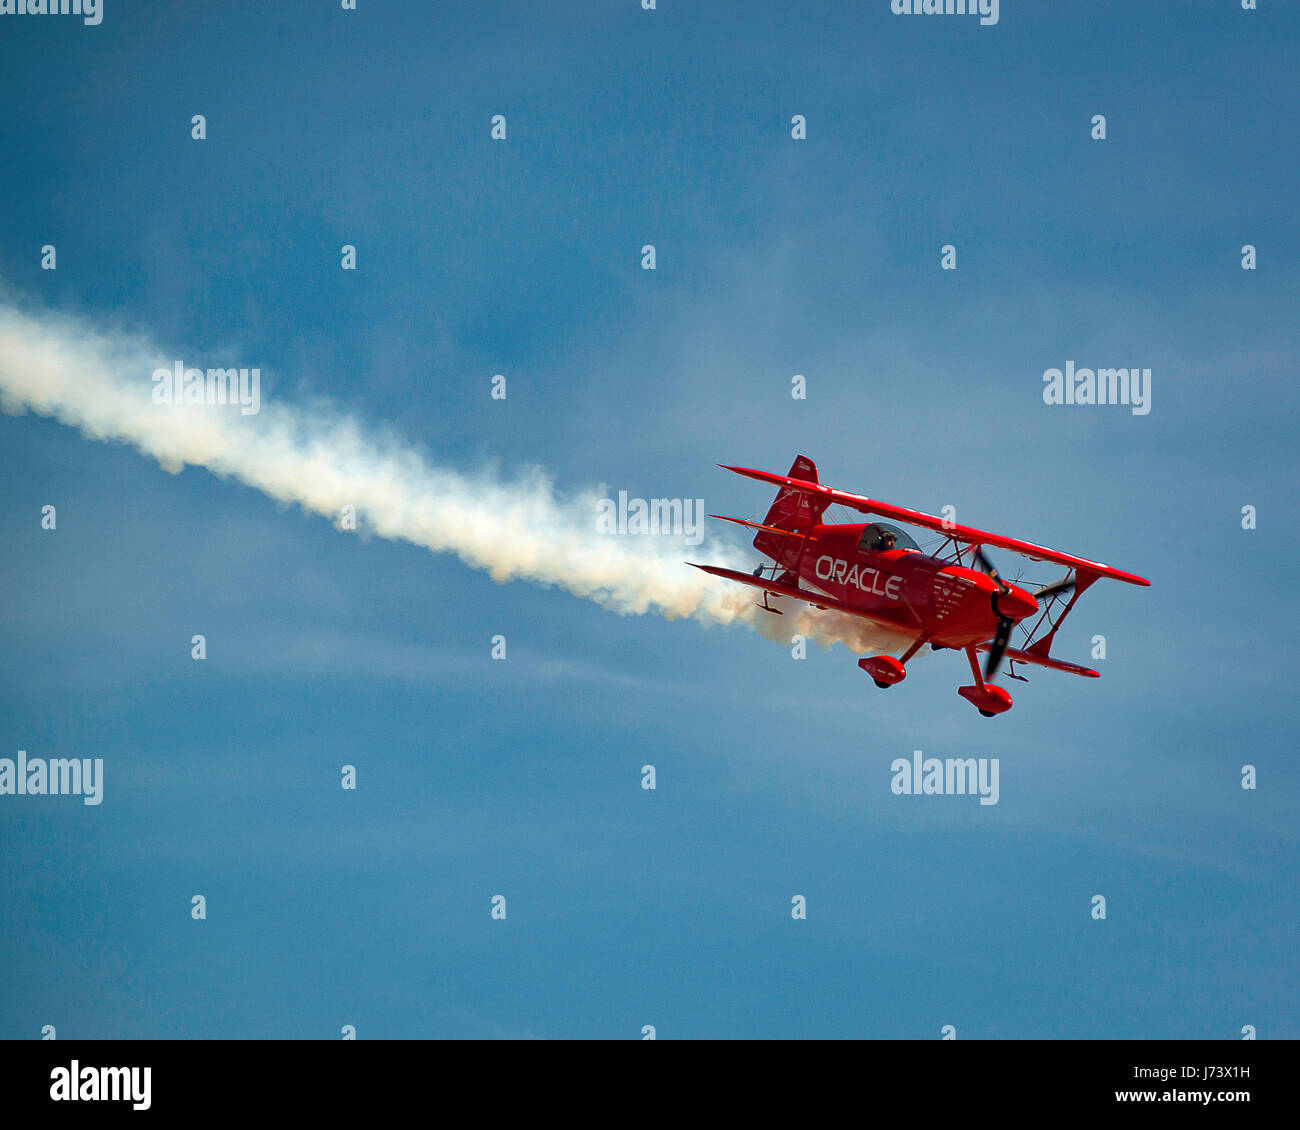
(952,598)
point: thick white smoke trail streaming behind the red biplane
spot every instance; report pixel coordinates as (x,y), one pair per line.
(102,383)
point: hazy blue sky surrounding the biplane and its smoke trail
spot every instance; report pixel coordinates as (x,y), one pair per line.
(666,908)
